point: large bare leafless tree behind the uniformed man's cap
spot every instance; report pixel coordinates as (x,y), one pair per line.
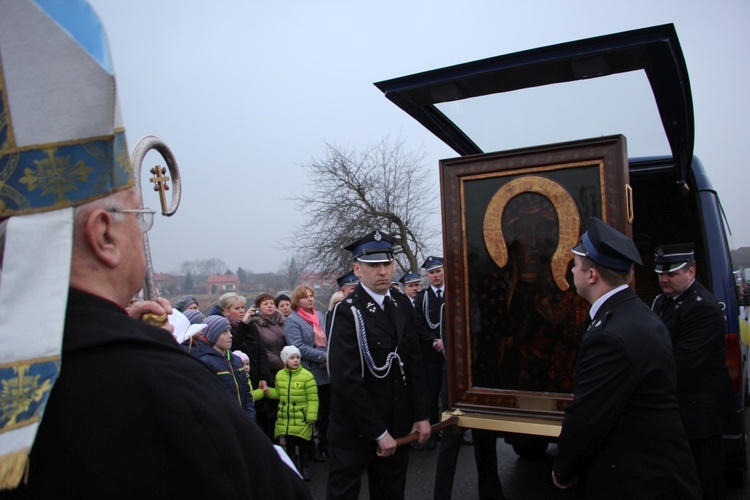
(352,193)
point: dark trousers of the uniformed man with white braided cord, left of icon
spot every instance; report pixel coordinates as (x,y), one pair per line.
(386,477)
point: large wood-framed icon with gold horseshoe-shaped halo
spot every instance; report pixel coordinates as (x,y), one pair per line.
(512,333)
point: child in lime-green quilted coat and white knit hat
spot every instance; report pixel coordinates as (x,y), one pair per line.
(297,393)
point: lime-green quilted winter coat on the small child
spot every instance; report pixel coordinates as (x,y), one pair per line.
(297,393)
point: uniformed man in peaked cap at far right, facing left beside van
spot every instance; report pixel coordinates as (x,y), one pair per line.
(697,326)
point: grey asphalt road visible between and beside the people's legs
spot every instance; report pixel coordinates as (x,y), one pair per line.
(522,479)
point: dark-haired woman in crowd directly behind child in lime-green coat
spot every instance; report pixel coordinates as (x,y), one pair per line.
(269,326)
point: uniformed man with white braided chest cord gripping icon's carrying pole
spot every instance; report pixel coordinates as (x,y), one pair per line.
(377,379)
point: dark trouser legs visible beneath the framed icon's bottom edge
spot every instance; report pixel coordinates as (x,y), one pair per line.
(485,456)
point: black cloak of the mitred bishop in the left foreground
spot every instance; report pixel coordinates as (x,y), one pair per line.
(132,415)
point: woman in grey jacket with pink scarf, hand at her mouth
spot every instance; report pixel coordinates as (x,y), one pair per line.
(305,329)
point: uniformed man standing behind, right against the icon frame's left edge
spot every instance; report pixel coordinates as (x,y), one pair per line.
(430,304)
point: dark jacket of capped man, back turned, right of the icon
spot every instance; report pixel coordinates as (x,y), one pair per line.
(622,433)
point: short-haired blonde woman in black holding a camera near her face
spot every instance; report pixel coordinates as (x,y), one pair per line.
(232,307)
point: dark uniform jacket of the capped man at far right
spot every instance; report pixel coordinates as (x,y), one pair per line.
(697,326)
